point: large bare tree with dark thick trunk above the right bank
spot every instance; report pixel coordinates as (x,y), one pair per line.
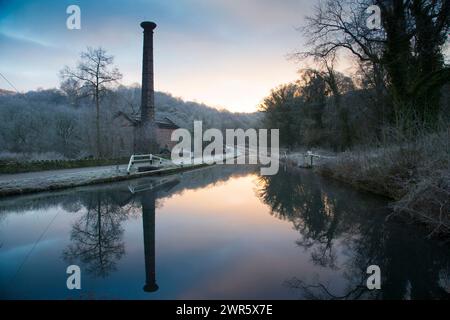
(408,47)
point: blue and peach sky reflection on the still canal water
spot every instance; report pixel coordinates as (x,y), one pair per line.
(218,241)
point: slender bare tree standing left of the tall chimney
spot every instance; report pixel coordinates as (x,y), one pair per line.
(94,73)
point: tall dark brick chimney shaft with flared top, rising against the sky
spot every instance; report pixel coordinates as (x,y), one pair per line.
(148,91)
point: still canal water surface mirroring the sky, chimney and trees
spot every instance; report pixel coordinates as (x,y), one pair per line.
(216,233)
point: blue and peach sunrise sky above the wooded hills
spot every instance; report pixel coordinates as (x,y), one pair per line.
(227,54)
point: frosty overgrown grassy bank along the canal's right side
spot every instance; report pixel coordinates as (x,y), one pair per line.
(414,174)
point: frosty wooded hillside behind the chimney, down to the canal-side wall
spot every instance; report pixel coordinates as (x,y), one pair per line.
(53,124)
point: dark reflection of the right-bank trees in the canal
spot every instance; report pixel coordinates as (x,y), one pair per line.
(331,218)
